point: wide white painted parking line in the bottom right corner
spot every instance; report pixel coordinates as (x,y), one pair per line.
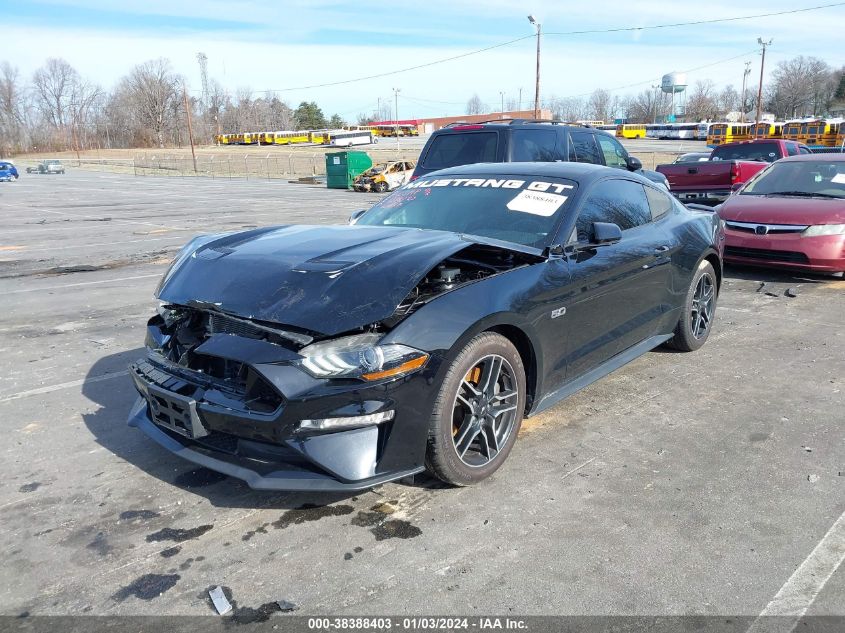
(782,614)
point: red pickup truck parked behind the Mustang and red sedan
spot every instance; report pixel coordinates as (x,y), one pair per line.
(730,165)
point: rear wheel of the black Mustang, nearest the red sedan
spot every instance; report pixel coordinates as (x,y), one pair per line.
(699,310)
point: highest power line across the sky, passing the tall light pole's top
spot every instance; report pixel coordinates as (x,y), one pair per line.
(558,33)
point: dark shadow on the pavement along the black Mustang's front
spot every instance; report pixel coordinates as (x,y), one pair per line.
(107,424)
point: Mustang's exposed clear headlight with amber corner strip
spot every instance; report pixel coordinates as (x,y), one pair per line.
(360,356)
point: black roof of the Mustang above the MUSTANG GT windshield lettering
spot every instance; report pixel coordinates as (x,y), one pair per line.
(583,173)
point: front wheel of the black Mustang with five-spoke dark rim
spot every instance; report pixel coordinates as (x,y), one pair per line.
(485,426)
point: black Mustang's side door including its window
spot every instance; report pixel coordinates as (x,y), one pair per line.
(620,289)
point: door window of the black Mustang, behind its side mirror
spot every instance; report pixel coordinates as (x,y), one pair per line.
(621,202)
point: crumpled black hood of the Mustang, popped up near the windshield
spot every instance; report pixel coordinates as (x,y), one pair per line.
(326,279)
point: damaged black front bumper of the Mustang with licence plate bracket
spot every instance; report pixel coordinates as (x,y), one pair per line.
(194,417)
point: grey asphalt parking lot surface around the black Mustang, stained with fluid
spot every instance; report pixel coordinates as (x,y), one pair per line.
(705,483)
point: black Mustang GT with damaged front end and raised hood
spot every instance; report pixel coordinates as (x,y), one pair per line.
(340,357)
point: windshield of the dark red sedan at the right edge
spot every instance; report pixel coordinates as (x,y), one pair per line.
(823,179)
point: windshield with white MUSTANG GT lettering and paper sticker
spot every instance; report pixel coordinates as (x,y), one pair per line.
(519,209)
